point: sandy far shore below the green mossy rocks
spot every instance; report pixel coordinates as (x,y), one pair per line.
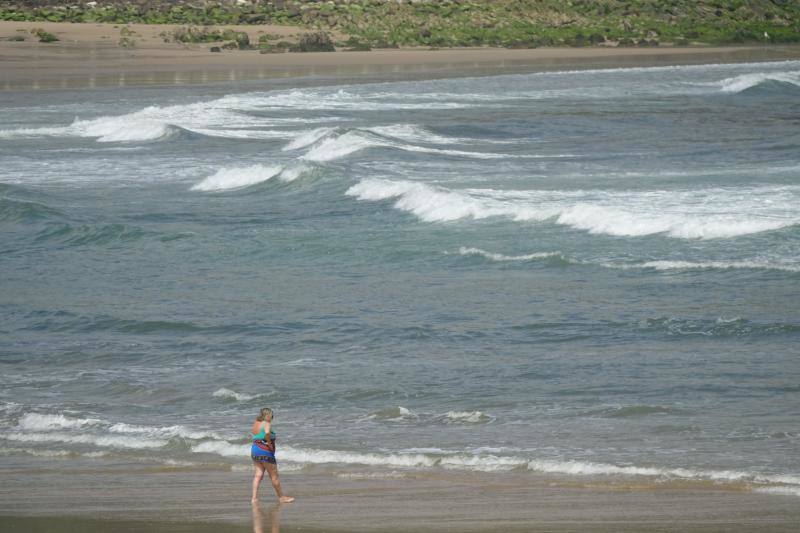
(88,56)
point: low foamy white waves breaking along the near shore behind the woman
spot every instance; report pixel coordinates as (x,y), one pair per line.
(38,428)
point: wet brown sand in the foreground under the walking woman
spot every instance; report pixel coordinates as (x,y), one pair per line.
(63,498)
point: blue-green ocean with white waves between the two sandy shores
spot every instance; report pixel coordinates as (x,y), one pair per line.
(588,274)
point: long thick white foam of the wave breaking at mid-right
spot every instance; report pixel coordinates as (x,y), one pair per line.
(692,214)
